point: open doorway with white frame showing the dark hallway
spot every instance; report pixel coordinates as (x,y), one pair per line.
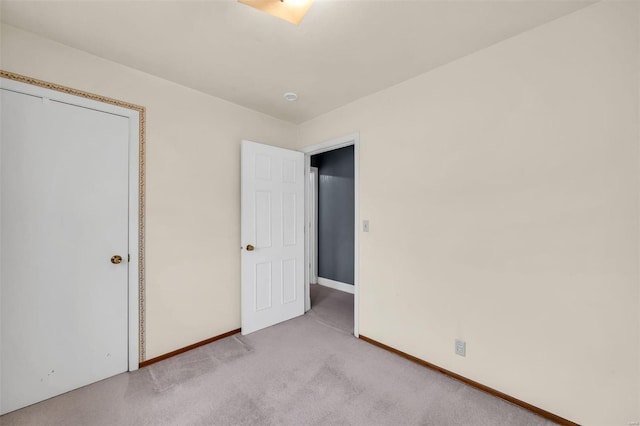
(332,217)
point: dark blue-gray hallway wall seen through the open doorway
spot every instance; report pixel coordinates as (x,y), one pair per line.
(335,214)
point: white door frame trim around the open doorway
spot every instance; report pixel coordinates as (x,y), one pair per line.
(330,145)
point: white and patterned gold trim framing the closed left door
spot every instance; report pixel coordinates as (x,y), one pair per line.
(137,116)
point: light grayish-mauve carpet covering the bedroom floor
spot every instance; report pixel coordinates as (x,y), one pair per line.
(306,371)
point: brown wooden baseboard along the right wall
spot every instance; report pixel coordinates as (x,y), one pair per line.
(539,411)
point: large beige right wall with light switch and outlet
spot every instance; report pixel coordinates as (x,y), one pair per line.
(502,191)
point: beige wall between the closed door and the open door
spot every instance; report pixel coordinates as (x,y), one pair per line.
(193,187)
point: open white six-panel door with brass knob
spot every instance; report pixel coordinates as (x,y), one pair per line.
(272,234)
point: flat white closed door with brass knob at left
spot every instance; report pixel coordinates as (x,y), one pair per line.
(64,214)
